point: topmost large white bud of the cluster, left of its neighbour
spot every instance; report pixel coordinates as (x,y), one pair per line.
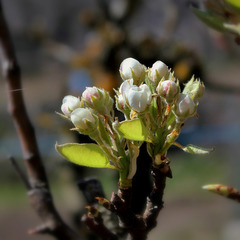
(132,68)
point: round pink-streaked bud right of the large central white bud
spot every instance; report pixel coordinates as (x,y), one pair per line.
(168,90)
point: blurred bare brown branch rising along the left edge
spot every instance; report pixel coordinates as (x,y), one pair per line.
(39,193)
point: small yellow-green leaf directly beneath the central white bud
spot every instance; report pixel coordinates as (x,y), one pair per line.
(133,130)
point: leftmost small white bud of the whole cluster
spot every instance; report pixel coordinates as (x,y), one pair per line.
(70,103)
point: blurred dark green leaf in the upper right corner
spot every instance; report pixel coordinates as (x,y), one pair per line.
(212,21)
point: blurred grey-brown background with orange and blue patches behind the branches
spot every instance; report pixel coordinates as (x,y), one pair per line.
(63,46)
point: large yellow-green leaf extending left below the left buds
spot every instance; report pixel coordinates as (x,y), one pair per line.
(87,154)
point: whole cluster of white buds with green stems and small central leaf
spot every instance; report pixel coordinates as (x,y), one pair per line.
(152,103)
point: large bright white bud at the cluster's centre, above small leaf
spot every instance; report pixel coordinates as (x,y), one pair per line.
(139,97)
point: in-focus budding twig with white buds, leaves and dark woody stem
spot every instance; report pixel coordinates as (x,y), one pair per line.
(155,110)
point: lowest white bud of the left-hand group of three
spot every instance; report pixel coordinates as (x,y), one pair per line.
(84,120)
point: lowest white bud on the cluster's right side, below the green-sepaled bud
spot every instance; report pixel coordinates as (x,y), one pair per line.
(184,107)
